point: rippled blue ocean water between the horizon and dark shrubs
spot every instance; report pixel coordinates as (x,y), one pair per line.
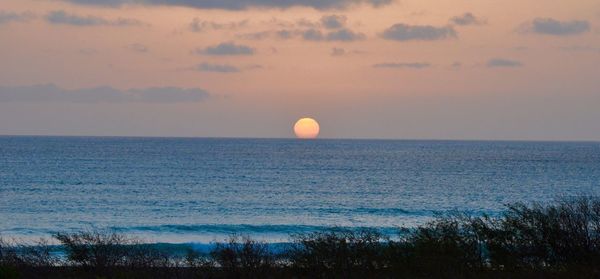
(199,190)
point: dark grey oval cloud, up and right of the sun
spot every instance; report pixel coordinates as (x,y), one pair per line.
(405,32)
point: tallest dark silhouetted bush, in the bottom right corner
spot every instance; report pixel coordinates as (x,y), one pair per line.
(557,236)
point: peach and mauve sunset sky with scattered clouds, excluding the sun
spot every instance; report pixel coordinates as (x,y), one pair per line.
(397,69)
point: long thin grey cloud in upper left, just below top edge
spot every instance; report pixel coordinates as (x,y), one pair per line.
(62,17)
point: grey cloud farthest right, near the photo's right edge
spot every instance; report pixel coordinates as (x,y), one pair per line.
(549,26)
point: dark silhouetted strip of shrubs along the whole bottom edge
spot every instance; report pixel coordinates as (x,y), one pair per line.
(558,240)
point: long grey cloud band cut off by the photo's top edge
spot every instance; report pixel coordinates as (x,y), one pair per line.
(238,4)
